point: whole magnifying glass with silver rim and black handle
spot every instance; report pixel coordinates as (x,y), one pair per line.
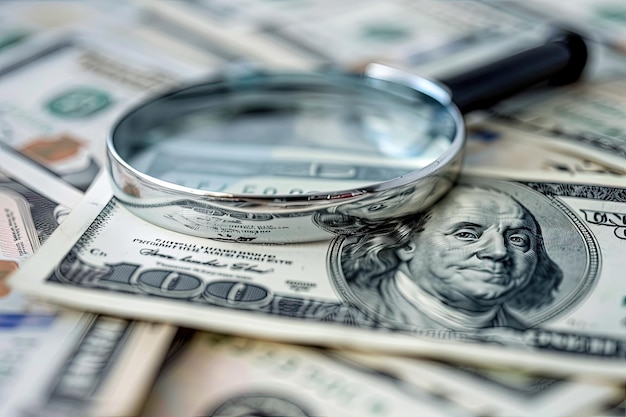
(291,157)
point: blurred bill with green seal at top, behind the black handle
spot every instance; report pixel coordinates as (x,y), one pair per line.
(412,34)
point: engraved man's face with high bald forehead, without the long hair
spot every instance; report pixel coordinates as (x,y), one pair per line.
(477,249)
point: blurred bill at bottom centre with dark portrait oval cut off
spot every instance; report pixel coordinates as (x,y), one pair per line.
(217,376)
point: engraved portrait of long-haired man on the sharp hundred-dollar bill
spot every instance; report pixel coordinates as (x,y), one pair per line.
(475,260)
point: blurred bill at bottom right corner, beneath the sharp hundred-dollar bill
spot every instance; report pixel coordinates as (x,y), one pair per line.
(498,391)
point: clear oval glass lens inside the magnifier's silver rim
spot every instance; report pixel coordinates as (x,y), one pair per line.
(288,134)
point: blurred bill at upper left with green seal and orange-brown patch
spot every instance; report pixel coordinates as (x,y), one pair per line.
(58,103)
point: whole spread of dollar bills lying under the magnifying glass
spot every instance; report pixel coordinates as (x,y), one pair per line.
(104,314)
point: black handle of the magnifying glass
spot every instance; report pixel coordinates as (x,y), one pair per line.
(559,61)
